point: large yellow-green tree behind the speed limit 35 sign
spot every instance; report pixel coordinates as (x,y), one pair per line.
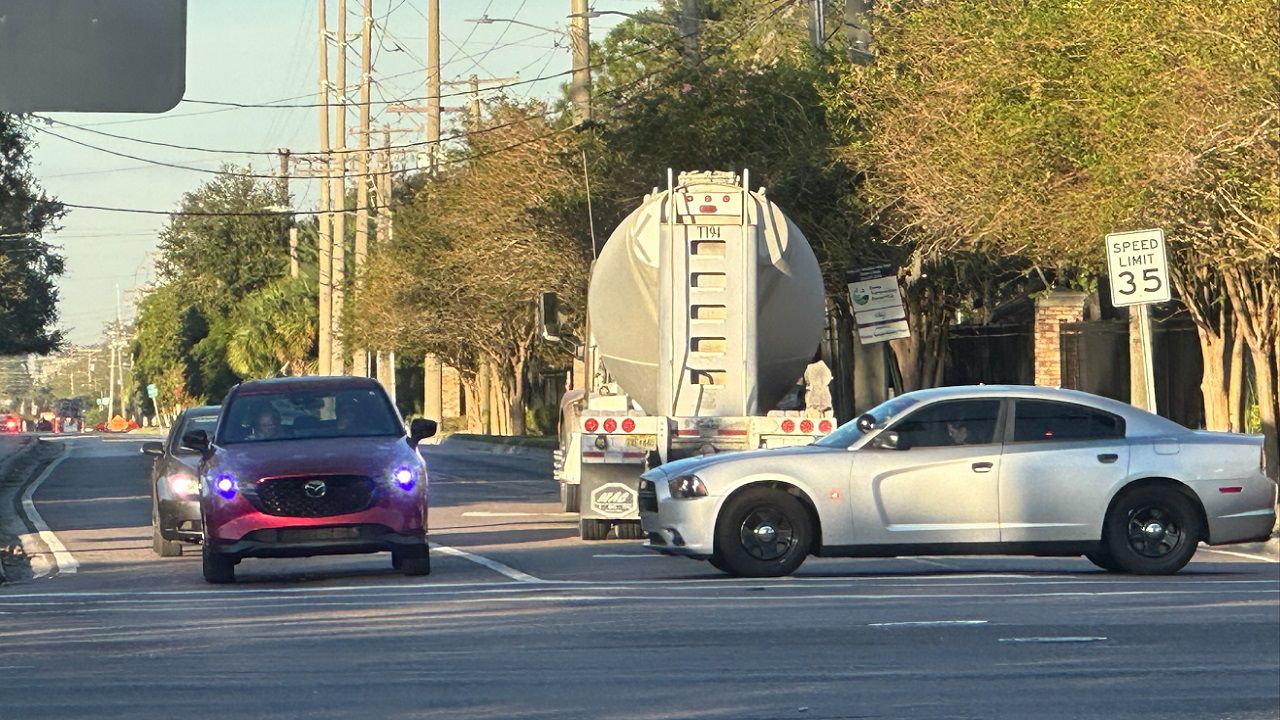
(1032,129)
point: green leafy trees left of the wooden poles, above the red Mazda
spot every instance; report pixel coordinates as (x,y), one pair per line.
(225,309)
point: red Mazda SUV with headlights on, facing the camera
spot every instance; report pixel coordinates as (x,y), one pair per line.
(305,467)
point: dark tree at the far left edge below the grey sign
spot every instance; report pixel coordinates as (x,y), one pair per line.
(29,267)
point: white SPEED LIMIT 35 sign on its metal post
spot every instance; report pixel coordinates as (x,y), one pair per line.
(1139,268)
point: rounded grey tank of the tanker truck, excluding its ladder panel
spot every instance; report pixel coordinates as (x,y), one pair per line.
(624,304)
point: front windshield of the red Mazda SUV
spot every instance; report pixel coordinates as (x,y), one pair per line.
(308,414)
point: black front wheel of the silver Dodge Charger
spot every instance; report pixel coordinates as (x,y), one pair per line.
(764,534)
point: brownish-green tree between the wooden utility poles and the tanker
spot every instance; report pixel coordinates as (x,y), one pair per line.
(474,249)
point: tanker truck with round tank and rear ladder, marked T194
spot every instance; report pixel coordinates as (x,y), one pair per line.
(705,308)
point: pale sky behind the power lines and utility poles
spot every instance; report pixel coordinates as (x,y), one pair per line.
(263,52)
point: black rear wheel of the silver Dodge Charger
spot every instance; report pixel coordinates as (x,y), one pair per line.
(1153,531)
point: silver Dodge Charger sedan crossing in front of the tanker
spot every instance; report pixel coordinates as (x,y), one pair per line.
(970,471)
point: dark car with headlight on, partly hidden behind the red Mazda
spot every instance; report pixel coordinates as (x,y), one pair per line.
(176,485)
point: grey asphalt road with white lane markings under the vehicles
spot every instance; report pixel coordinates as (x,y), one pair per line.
(520,619)
